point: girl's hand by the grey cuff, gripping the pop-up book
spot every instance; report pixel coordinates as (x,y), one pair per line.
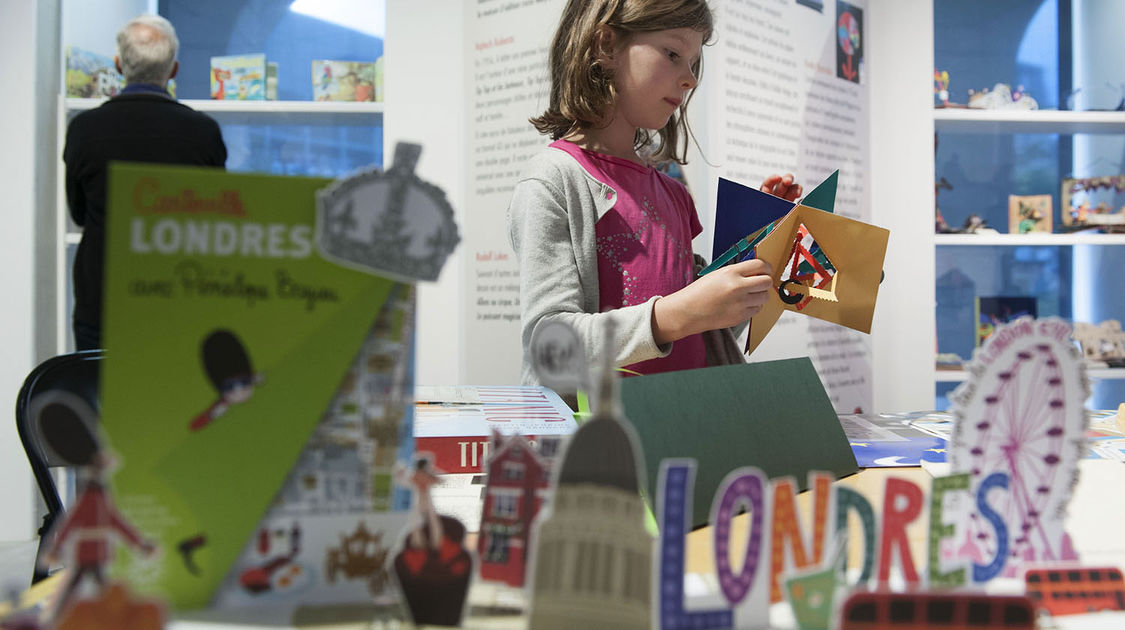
(726,298)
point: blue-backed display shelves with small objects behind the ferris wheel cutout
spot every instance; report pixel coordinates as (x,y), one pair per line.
(991,163)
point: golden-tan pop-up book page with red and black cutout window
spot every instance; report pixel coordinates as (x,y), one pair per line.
(824,266)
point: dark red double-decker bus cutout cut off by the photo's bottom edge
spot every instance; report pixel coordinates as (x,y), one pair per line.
(934,610)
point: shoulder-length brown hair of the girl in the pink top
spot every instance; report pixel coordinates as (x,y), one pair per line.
(582,91)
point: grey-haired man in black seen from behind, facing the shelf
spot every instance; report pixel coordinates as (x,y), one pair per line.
(145,123)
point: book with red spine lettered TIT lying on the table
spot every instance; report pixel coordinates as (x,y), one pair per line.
(456,425)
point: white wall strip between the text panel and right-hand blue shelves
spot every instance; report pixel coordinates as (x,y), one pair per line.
(901,38)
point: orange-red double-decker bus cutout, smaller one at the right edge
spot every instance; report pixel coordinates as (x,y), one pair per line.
(1078,590)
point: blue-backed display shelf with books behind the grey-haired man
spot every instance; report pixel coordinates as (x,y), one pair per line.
(291,130)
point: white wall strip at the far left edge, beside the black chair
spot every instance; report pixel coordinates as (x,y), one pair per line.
(28,122)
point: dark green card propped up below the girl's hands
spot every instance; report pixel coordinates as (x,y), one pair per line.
(772,415)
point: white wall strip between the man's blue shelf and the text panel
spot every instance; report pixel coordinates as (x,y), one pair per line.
(426,87)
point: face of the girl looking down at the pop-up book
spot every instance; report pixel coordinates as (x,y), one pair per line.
(653,75)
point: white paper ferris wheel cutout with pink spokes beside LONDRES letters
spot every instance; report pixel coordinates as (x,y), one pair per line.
(1023,417)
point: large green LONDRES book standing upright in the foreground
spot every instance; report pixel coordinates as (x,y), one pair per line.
(257,393)
